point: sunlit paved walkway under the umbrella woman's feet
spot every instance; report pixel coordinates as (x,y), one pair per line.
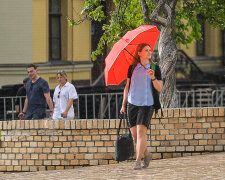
(209,166)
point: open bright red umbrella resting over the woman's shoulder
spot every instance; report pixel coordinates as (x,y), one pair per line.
(120,57)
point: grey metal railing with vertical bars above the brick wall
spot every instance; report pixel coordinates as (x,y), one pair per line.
(107,105)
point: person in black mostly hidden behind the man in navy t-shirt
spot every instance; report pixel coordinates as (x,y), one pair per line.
(21,92)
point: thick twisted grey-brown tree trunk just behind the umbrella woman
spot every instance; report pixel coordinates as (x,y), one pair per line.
(166,47)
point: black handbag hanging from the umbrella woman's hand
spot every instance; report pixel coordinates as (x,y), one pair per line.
(124,147)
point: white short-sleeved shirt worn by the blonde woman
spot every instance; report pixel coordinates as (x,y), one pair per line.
(61,98)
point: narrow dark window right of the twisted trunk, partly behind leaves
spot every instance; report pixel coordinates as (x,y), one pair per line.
(200,44)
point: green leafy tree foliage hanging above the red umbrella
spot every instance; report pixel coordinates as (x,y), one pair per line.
(127,15)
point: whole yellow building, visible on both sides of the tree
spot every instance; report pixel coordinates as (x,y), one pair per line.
(37,31)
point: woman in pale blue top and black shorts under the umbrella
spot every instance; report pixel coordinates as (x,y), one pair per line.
(140,98)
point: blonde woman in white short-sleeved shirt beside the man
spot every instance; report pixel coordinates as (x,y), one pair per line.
(63,97)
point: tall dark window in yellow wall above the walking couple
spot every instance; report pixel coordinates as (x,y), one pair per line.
(54,30)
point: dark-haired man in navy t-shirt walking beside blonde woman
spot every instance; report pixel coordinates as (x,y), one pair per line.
(37,94)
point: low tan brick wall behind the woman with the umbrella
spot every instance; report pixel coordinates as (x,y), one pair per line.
(47,145)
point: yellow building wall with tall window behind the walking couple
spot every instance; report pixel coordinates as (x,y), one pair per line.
(37,31)
